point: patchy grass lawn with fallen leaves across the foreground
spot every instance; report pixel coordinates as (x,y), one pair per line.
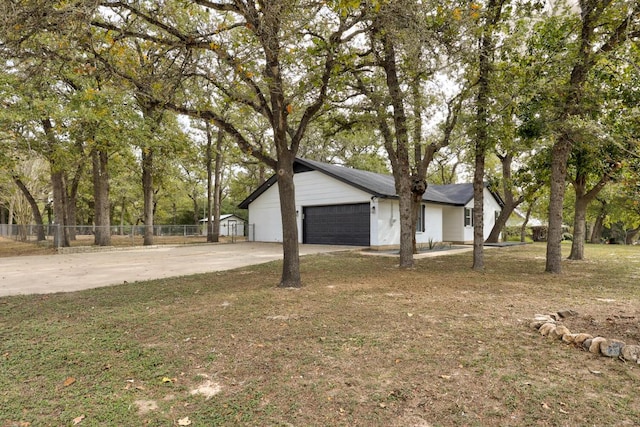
(361,344)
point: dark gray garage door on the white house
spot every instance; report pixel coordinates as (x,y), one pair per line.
(337,225)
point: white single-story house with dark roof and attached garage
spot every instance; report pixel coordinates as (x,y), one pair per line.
(344,206)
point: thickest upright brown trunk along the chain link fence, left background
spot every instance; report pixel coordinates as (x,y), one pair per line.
(100,162)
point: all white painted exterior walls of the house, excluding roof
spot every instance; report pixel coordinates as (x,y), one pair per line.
(442,222)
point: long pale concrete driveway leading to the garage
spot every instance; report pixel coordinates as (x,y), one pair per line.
(72,272)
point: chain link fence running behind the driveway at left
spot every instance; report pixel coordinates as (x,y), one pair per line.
(127,235)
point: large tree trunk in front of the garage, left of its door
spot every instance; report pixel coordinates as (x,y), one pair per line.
(286,189)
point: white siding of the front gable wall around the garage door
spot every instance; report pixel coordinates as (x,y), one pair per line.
(312,189)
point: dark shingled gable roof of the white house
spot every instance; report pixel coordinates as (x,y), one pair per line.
(376,184)
